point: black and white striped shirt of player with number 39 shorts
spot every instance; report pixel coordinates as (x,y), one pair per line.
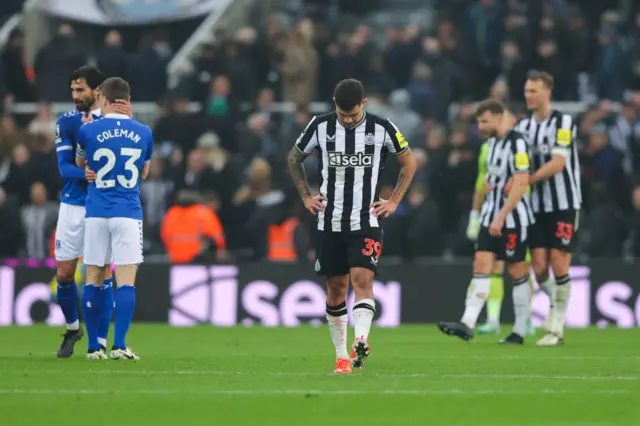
(351,161)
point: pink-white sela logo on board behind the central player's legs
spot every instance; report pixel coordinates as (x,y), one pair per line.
(213,295)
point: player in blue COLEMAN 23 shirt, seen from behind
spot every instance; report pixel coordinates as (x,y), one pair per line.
(119,150)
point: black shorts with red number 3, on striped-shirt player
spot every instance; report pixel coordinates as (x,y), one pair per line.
(511,246)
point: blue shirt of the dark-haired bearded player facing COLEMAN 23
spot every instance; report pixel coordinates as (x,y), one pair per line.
(74,191)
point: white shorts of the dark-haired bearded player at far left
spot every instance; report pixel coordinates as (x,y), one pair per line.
(70,232)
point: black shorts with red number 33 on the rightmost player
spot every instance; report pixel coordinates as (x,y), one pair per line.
(557,230)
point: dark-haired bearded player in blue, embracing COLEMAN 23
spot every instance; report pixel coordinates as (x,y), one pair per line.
(69,245)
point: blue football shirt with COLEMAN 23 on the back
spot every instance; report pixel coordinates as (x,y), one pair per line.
(116,148)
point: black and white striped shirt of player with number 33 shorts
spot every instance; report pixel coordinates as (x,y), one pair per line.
(555,134)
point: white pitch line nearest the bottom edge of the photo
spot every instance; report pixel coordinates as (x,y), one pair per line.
(306,392)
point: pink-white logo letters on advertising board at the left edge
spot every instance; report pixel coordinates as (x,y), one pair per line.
(17,308)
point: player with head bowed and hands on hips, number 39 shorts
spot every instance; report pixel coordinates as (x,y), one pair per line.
(352,146)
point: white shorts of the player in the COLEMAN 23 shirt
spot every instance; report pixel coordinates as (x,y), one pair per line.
(119,238)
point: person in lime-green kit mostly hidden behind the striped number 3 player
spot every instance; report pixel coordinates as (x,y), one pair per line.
(496,293)
